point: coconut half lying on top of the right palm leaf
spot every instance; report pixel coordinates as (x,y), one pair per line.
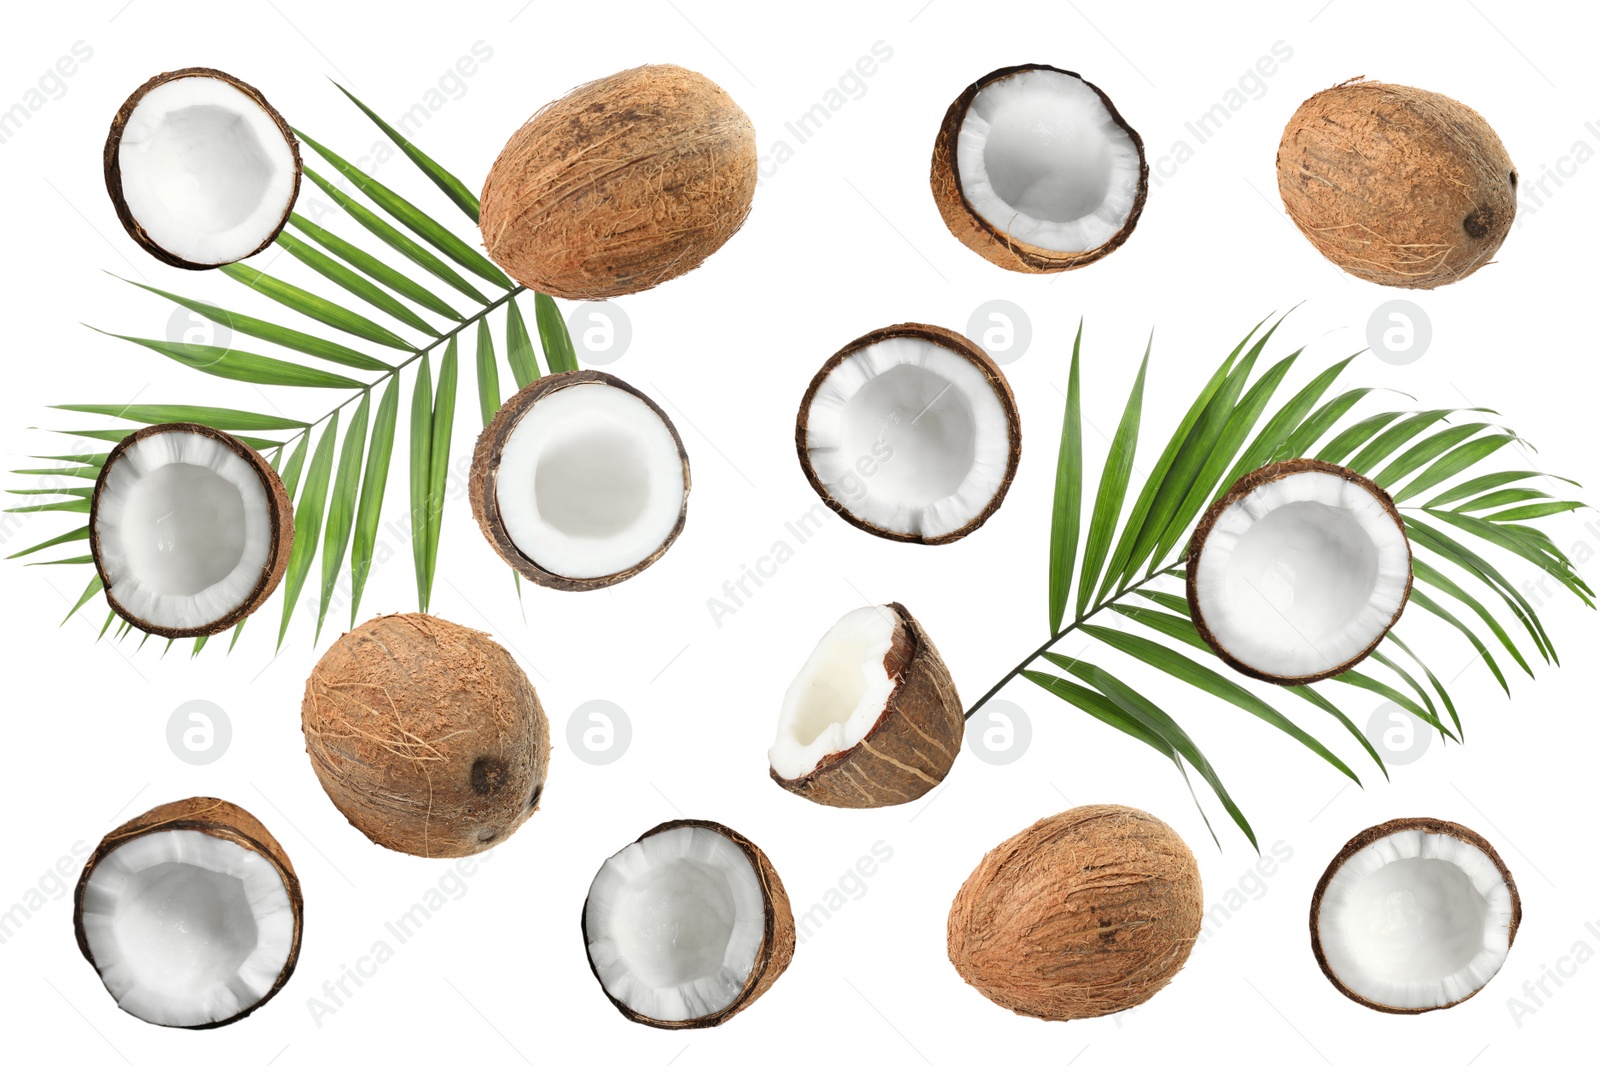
(1298,572)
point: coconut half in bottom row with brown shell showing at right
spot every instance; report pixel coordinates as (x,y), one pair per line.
(689,926)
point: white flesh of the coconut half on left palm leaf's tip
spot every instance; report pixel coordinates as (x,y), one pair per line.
(185,529)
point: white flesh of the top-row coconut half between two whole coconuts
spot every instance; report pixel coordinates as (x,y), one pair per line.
(1046,162)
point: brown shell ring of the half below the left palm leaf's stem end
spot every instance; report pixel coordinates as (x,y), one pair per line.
(484,481)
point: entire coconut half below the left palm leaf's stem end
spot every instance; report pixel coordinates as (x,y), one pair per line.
(580,481)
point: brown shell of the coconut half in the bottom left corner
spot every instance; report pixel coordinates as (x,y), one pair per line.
(225,822)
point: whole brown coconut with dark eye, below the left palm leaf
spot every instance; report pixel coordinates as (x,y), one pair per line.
(426,735)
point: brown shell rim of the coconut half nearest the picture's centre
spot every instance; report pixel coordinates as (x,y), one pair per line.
(956,343)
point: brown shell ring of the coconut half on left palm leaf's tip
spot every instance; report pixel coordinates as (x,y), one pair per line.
(281,526)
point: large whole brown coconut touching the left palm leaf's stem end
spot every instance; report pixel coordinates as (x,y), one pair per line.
(622,185)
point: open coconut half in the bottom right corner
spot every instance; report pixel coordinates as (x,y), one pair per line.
(1415,915)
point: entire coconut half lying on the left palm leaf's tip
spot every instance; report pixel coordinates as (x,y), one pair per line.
(190,527)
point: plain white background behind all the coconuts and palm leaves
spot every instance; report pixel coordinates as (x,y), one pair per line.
(844,238)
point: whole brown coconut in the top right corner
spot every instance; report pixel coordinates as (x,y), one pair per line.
(1398,185)
